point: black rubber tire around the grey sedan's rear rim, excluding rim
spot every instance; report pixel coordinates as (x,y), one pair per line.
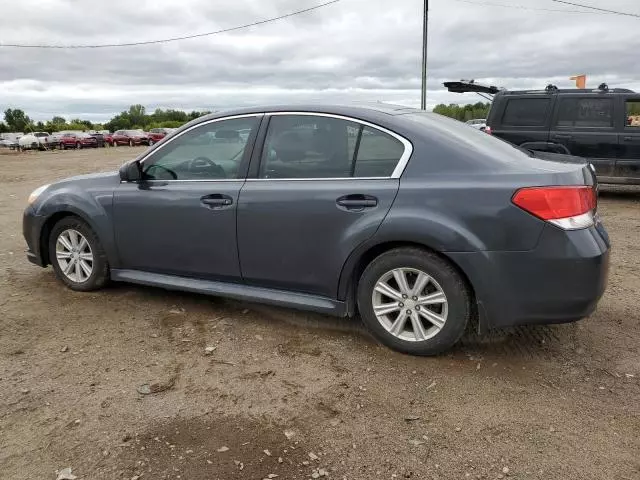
(452,284)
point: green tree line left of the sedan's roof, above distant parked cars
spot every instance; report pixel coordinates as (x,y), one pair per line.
(136,117)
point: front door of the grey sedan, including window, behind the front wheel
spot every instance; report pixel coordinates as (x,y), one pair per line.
(181,218)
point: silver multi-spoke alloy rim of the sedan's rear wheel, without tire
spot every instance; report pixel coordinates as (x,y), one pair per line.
(410,304)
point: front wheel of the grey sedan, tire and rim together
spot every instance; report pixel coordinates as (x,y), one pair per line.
(77,256)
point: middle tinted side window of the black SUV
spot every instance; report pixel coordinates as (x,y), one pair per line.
(585,112)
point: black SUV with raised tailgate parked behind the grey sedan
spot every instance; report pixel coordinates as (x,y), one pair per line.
(600,125)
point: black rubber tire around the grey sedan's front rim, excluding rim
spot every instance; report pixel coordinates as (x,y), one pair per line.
(100,272)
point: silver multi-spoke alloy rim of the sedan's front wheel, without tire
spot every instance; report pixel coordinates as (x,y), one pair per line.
(74,256)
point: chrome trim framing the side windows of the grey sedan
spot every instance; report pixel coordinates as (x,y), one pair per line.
(397,172)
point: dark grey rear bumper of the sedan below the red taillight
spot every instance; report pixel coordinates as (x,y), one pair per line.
(560,281)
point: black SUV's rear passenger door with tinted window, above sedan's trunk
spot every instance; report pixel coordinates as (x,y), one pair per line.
(584,124)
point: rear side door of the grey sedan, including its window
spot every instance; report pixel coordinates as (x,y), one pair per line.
(323,187)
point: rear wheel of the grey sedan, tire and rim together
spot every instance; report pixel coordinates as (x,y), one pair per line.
(413,301)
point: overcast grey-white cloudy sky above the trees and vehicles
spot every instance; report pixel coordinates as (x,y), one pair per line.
(354,49)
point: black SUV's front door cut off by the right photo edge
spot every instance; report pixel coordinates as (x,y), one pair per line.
(628,162)
